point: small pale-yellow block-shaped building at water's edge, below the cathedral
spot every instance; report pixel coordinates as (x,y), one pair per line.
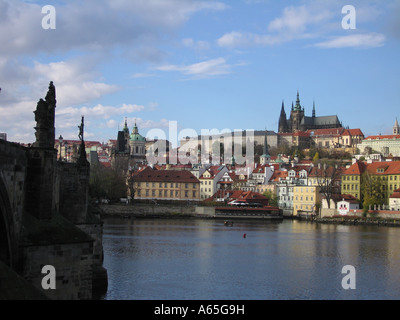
(305,199)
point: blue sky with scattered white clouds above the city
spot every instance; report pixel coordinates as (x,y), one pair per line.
(198,64)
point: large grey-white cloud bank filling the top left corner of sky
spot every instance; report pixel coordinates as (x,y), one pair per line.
(95,25)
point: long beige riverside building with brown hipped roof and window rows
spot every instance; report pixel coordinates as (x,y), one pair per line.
(170,185)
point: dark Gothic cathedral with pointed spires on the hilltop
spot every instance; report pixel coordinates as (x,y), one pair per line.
(299,122)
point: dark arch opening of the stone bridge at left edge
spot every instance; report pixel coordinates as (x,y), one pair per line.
(6,226)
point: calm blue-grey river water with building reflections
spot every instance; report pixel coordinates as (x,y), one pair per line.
(195,259)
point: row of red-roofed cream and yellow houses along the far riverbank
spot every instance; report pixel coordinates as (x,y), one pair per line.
(298,186)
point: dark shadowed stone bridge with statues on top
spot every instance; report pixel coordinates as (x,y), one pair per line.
(45,219)
